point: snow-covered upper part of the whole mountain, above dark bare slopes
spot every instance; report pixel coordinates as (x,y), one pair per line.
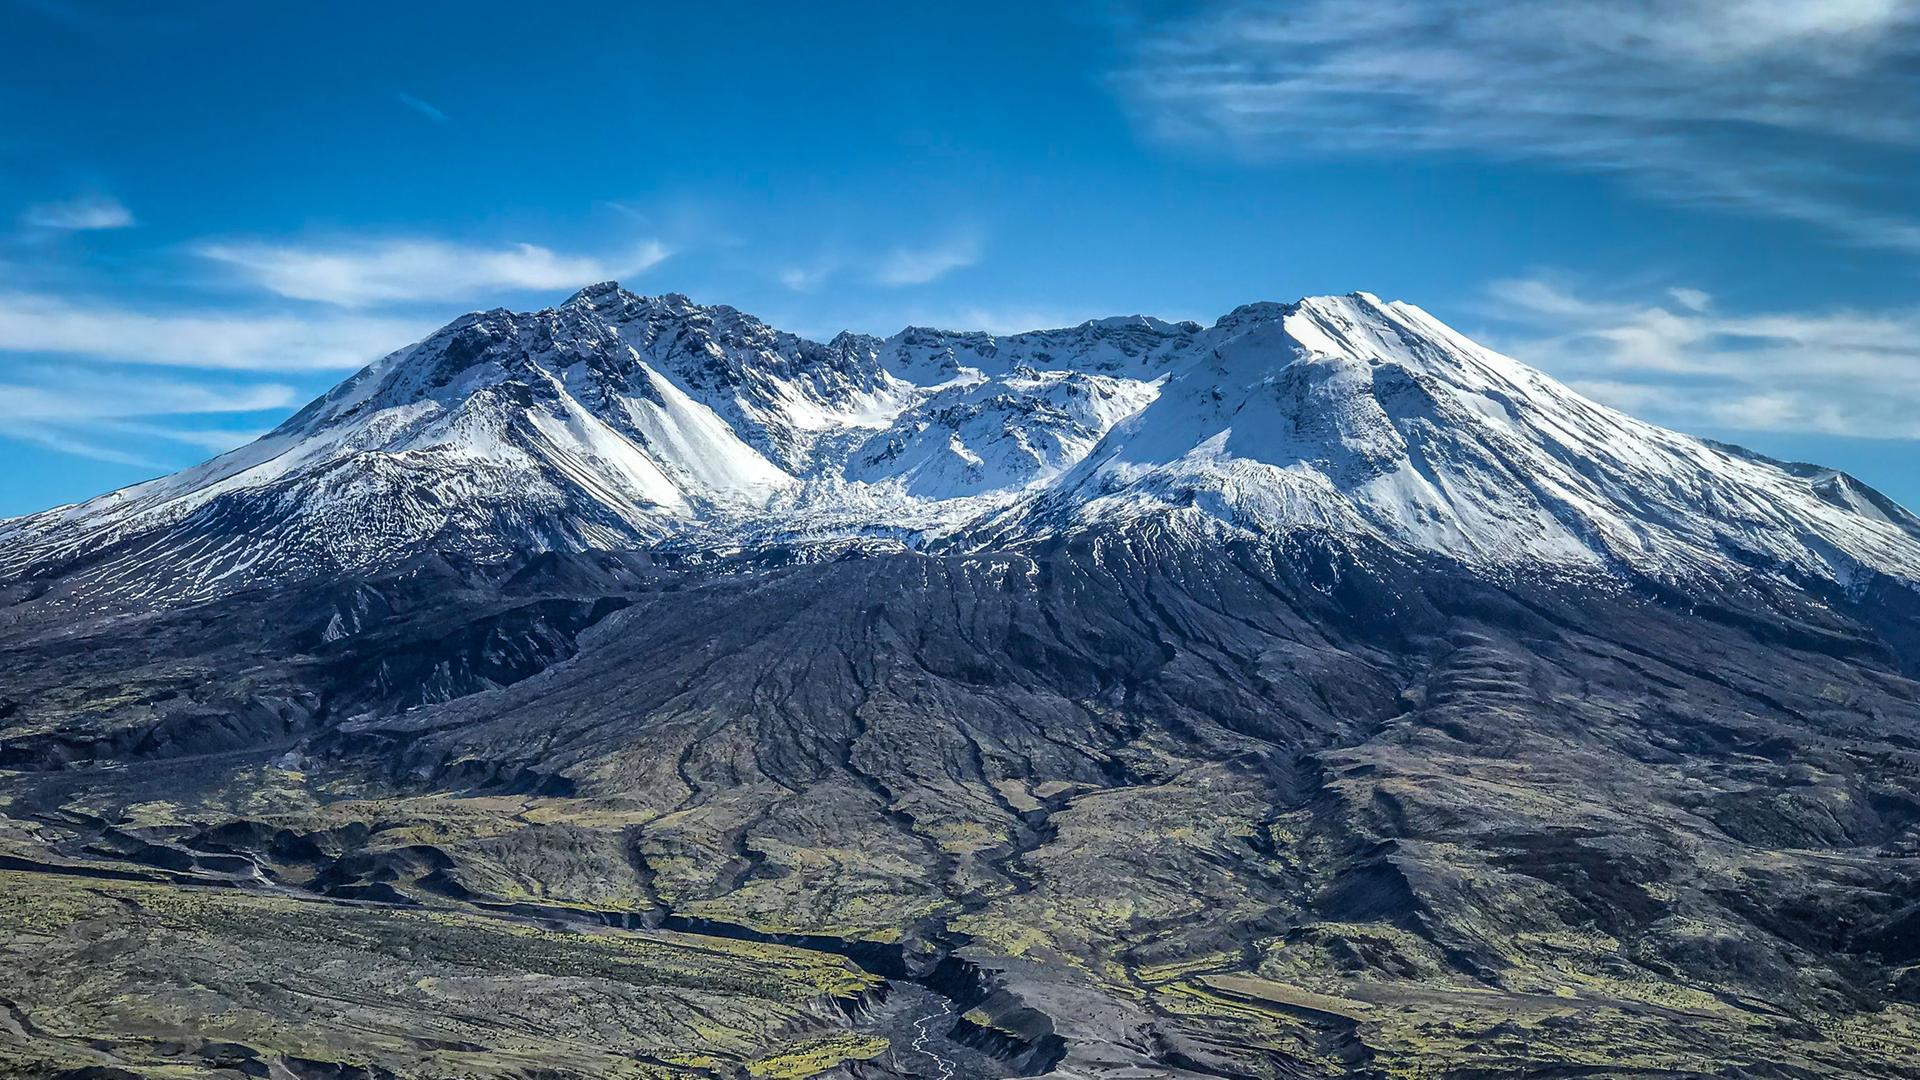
(619,420)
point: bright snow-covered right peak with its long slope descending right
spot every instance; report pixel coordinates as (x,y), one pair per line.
(1364,416)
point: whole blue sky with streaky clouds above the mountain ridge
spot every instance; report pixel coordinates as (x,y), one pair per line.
(1702,212)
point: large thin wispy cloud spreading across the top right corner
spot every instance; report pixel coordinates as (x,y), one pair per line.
(1787,109)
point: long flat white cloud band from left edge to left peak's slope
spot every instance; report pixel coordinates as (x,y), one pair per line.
(36,322)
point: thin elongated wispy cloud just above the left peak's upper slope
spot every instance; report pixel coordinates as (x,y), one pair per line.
(387,272)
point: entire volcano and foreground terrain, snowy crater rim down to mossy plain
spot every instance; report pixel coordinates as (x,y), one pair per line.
(1312,695)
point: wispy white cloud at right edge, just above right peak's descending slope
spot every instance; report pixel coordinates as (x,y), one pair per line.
(1687,362)
